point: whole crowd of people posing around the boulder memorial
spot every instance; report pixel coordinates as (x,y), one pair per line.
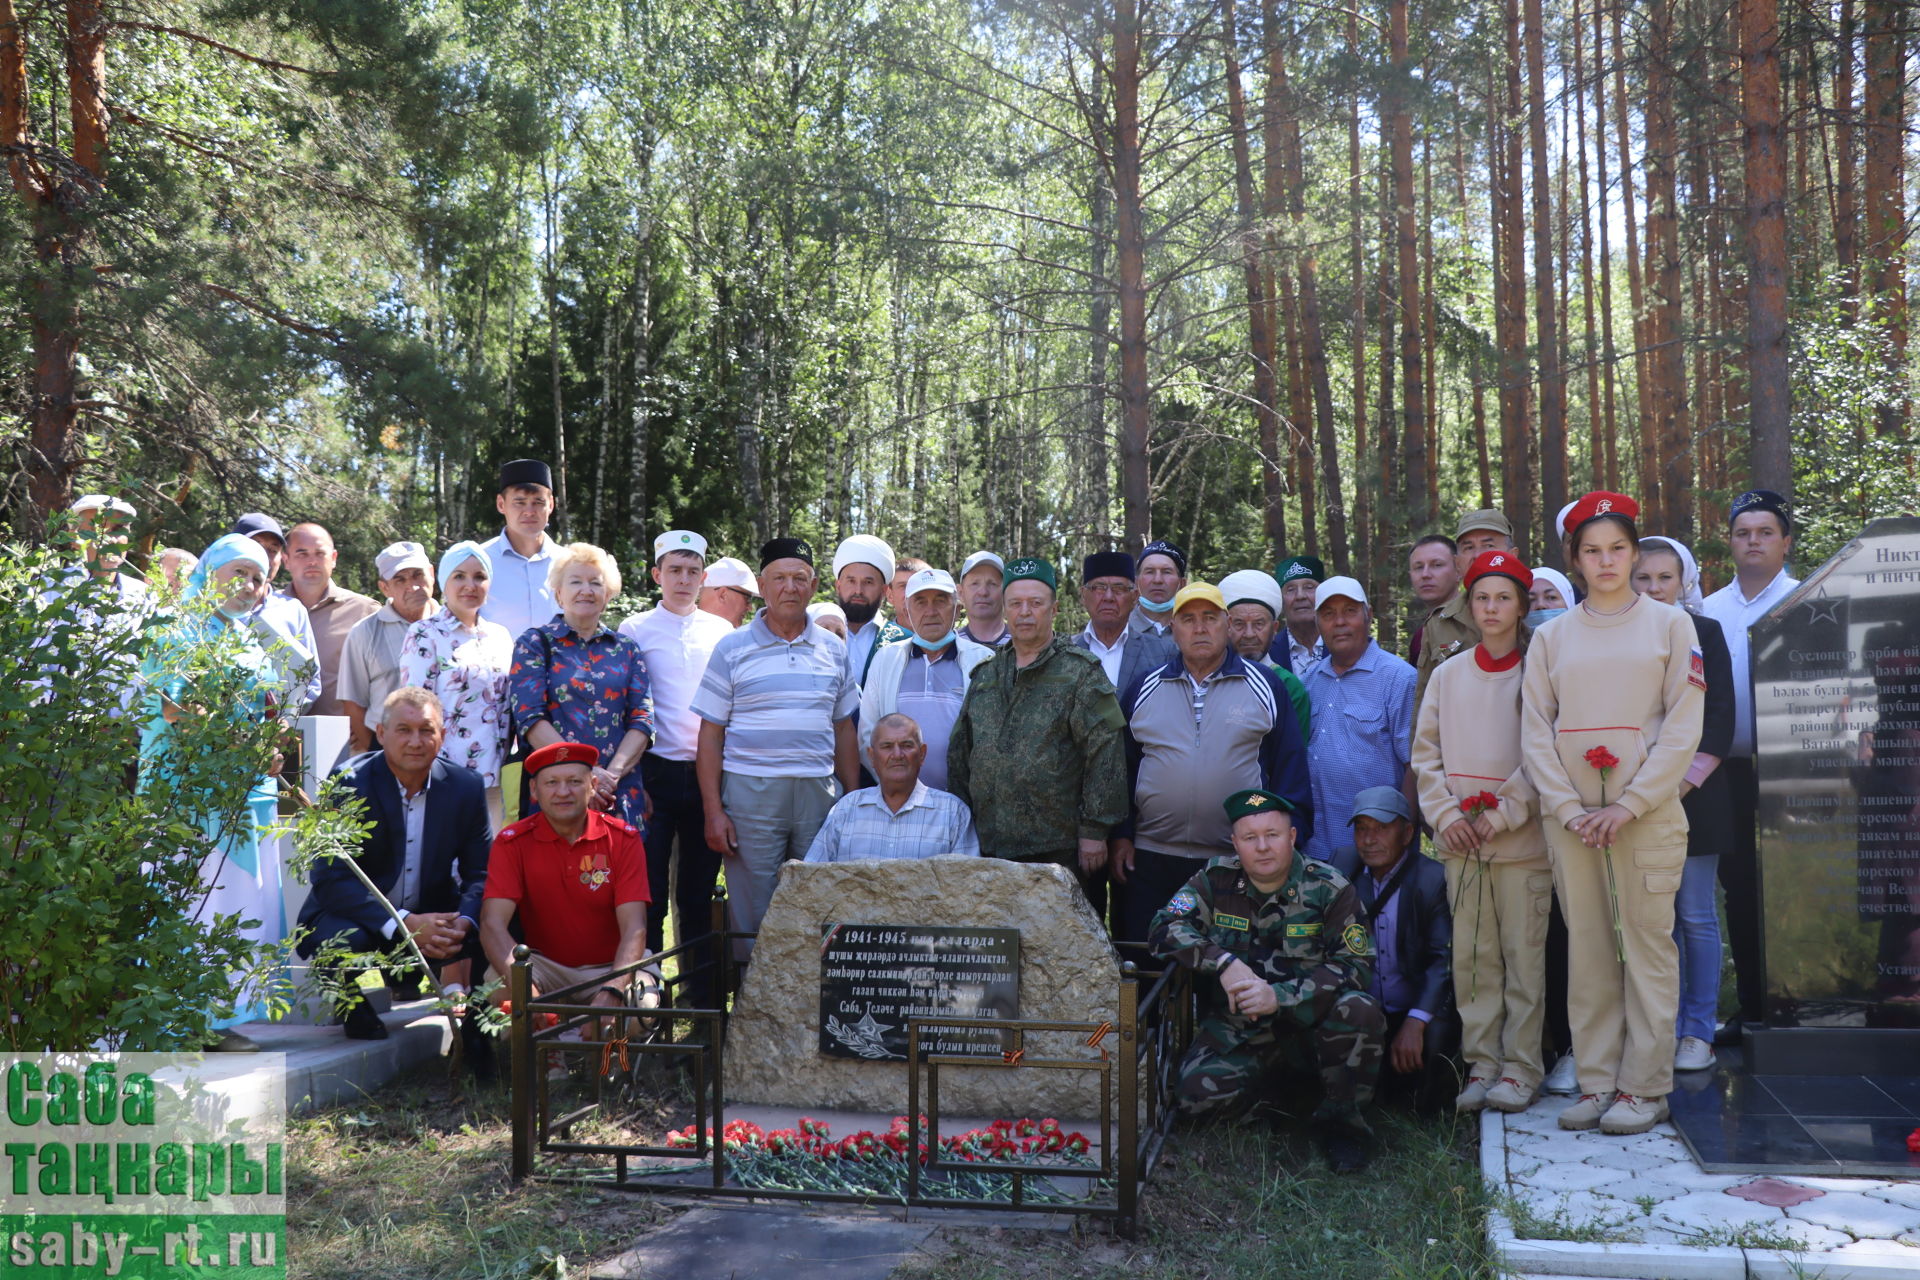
(1236,772)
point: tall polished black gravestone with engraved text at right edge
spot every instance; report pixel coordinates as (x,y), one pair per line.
(1836,696)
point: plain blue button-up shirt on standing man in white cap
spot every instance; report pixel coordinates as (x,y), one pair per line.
(1362,738)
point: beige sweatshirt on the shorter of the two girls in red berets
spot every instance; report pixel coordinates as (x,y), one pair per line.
(1468,742)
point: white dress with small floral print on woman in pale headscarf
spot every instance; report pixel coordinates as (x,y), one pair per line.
(466,667)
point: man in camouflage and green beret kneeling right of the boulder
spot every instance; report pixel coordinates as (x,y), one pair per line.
(1293,959)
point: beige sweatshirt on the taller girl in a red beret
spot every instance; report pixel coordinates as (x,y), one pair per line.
(1633,684)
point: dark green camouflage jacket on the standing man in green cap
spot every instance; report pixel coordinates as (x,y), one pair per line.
(1038,755)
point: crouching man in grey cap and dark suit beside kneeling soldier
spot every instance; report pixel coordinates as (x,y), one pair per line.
(1403,897)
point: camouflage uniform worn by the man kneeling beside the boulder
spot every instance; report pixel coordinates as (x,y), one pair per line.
(1312,943)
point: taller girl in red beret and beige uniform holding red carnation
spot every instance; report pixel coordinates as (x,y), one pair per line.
(1612,711)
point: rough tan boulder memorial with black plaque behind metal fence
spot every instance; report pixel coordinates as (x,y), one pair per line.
(963,936)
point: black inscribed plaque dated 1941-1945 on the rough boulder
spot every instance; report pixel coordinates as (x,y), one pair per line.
(875,978)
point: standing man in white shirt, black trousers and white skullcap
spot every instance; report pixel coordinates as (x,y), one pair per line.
(677,640)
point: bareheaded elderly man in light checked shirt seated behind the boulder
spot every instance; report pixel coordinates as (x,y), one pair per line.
(901,817)
